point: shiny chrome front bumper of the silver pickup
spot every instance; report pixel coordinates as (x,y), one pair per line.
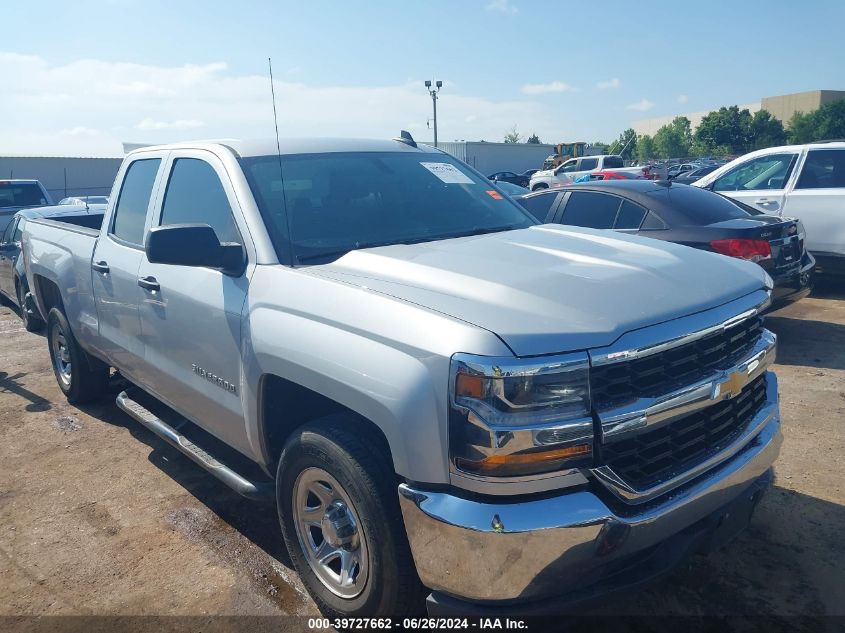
(527,550)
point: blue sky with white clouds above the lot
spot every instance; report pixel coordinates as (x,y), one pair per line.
(79,78)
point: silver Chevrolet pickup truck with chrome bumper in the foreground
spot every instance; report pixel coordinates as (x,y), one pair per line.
(442,397)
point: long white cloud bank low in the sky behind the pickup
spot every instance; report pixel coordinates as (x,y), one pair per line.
(91,106)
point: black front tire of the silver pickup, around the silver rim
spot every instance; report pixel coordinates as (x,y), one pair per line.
(351,454)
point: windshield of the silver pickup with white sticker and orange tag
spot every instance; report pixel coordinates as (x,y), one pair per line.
(337,202)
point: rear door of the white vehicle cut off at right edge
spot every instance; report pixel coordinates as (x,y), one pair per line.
(818,200)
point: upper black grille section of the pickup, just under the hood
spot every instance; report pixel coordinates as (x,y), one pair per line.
(620,383)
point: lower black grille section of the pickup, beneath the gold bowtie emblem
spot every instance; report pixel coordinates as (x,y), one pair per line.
(648,458)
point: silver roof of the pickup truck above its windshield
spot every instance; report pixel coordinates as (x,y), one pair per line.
(265,147)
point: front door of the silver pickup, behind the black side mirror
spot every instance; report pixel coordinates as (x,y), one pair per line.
(191,316)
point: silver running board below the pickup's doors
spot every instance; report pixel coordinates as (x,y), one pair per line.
(261,491)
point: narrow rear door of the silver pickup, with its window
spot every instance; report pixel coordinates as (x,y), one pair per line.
(115,264)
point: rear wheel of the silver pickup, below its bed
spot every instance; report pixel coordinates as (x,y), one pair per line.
(81,377)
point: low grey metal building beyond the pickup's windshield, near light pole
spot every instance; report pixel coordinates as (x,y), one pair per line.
(488,158)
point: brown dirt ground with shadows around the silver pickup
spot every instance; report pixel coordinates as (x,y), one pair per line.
(98,516)
